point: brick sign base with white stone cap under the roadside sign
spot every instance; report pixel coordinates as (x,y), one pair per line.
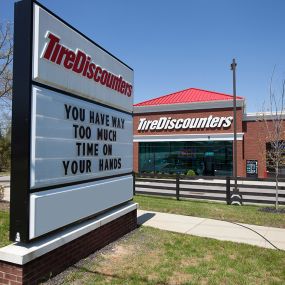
(39,260)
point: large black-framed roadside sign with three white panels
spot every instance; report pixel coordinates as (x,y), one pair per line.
(72,127)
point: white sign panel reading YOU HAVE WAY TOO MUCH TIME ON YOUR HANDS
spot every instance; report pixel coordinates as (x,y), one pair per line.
(74,140)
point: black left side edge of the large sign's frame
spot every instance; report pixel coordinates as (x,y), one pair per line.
(21,121)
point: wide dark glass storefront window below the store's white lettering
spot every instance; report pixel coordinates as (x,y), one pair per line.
(205,158)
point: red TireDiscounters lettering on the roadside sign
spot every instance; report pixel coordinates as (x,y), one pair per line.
(81,63)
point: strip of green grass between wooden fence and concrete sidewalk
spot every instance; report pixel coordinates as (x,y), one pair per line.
(242,214)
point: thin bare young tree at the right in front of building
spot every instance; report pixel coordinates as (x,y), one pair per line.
(272,119)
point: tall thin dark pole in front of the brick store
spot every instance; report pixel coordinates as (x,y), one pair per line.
(235,198)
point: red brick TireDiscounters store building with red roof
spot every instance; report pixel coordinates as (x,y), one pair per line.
(193,129)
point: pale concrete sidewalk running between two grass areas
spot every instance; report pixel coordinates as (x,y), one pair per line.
(216,229)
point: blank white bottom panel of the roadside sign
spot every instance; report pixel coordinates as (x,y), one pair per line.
(53,209)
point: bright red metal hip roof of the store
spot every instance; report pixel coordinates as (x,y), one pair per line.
(190,95)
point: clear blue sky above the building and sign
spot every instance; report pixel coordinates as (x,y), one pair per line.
(174,45)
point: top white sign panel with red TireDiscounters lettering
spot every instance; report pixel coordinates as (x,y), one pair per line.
(64,59)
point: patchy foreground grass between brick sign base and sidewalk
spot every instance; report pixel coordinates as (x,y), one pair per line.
(153,257)
